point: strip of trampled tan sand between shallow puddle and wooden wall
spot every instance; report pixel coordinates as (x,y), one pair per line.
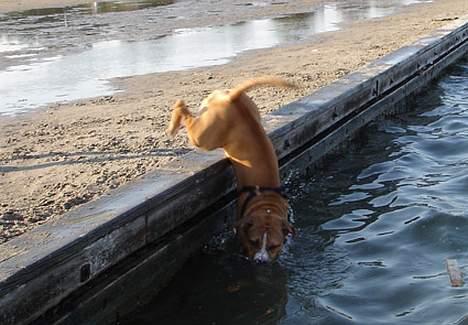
(60,157)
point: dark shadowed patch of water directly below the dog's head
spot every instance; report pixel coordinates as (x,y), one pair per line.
(232,279)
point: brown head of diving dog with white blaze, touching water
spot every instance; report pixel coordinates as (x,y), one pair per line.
(263,230)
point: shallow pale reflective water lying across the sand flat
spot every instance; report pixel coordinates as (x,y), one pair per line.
(64,54)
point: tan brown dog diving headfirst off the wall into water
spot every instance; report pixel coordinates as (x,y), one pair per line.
(229,119)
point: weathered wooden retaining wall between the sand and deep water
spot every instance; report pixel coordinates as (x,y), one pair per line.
(82,265)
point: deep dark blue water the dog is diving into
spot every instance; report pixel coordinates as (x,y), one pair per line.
(374,229)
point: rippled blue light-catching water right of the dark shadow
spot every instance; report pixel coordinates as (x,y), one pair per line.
(413,194)
